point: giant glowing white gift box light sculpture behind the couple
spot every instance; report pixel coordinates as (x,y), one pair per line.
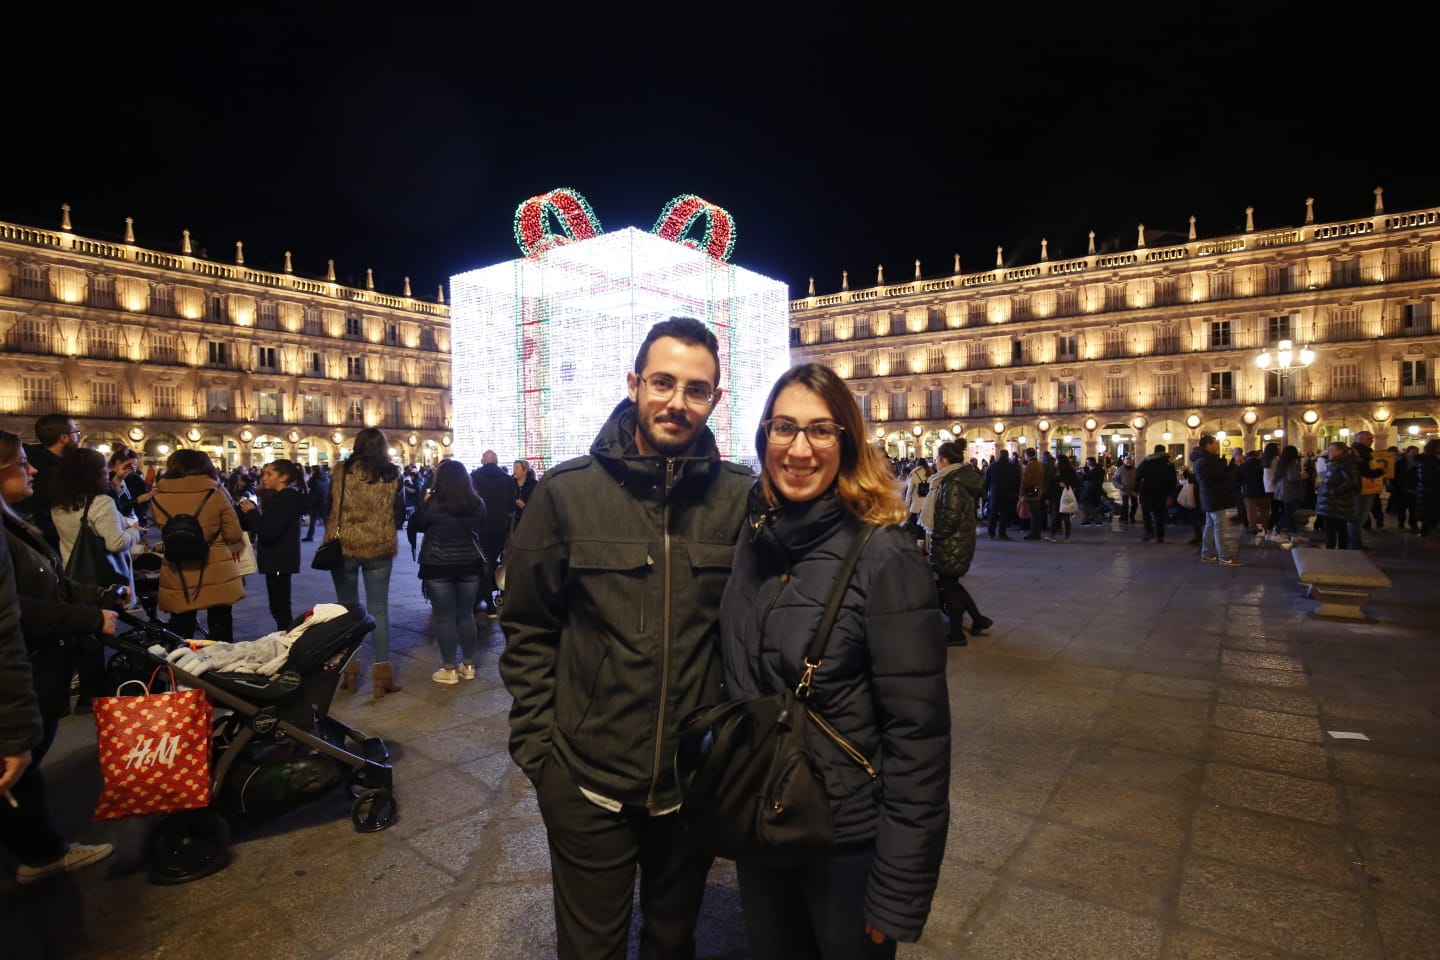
(541,346)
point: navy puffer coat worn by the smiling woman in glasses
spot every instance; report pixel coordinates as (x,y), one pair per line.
(881,684)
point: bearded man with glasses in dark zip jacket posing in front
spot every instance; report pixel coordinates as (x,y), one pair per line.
(611,624)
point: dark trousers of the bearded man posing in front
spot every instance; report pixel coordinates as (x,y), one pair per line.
(594,856)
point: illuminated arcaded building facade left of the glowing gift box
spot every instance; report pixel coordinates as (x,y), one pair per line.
(165,350)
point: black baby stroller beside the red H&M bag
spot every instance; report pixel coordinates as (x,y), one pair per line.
(274,748)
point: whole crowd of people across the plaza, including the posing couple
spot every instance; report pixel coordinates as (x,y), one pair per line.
(647,581)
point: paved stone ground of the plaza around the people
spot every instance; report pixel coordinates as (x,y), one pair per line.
(1143,769)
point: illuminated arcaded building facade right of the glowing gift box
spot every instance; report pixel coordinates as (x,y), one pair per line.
(1160,345)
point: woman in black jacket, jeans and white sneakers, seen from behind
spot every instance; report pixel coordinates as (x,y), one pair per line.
(451,565)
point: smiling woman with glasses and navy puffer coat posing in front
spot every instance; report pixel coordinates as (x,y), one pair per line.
(881,683)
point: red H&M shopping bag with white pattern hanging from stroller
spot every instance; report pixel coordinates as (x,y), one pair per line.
(155,752)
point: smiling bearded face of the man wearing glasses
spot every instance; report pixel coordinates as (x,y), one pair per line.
(669,425)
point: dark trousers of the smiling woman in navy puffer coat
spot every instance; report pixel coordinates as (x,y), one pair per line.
(813,912)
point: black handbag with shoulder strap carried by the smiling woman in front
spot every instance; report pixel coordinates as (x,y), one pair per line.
(752,789)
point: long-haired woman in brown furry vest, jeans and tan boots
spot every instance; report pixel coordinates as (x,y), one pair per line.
(366,512)
